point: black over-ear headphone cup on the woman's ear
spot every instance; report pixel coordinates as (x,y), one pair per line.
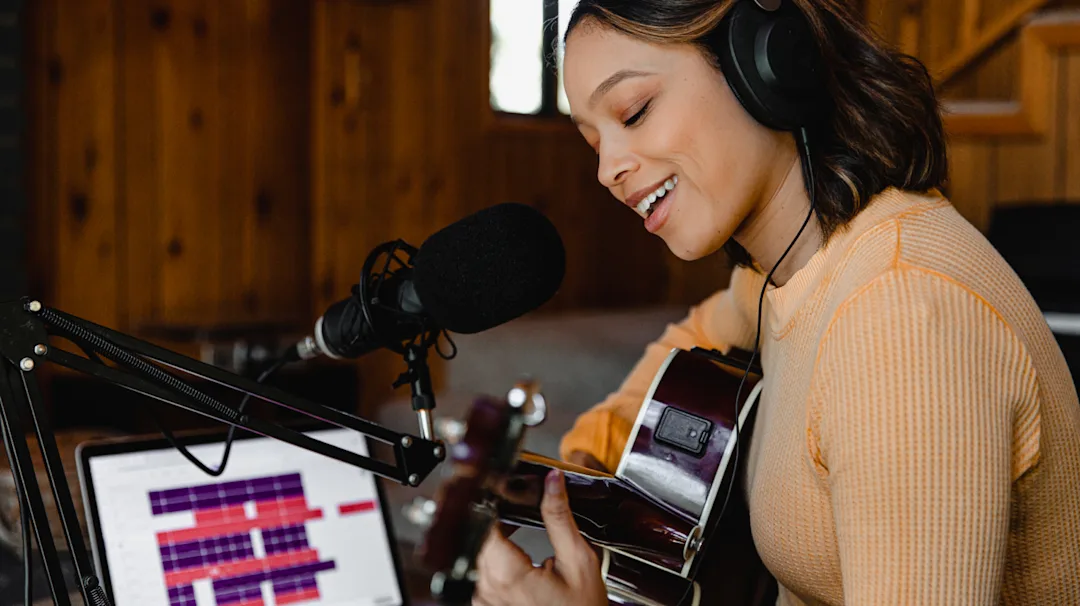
(773,64)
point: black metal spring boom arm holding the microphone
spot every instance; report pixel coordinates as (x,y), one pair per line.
(25,328)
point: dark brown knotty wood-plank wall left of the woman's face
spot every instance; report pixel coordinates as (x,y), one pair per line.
(219,163)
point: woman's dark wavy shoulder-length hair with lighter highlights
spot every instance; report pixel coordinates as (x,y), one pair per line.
(885,129)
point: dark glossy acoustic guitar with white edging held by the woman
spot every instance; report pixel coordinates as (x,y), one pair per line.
(670,526)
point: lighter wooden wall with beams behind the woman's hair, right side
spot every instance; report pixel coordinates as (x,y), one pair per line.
(990,169)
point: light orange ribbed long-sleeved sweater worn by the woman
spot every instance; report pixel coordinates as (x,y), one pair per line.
(919,435)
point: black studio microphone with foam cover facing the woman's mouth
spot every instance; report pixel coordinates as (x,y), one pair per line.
(477,274)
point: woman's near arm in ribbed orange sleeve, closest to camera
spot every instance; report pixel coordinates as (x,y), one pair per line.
(921,420)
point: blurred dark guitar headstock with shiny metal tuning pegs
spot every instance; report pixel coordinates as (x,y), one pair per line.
(466,505)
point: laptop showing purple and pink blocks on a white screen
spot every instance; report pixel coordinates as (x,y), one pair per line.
(280,527)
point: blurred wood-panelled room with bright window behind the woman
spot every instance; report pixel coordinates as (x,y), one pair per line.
(211,176)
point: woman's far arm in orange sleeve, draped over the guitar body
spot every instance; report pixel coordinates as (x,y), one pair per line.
(725,320)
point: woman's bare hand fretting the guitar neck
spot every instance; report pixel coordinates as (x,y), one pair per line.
(573,577)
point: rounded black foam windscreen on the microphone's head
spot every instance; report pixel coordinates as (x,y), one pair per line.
(490,268)
